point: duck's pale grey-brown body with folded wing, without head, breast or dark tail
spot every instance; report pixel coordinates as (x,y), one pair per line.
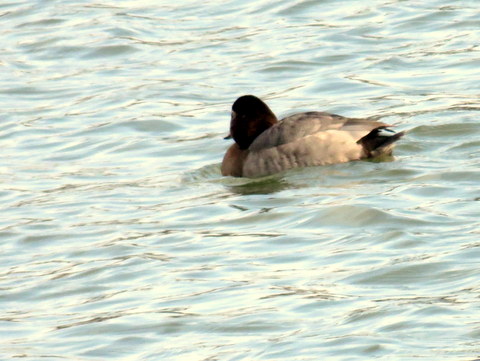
(307,139)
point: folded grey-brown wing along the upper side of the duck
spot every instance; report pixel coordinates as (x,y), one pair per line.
(300,125)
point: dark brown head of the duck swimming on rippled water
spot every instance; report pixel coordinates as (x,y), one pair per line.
(250,118)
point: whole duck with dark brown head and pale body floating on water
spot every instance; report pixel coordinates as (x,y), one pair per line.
(265,145)
